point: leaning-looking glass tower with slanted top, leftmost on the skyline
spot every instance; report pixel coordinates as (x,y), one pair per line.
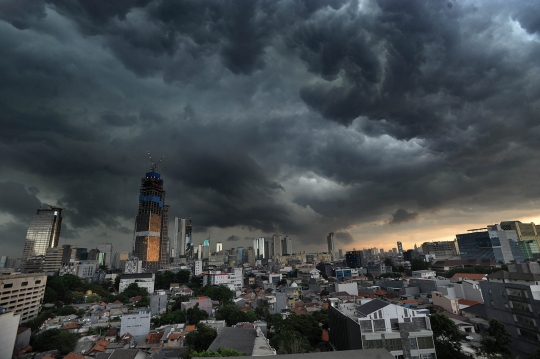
(43,232)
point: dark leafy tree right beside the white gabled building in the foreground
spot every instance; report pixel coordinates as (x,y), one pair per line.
(447,336)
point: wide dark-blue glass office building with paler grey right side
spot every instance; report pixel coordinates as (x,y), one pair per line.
(490,243)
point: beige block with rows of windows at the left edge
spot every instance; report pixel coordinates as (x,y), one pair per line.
(22,293)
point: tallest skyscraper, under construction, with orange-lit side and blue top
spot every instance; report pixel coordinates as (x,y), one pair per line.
(148,236)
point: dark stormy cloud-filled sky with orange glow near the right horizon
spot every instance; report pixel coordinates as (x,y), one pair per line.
(381,121)
